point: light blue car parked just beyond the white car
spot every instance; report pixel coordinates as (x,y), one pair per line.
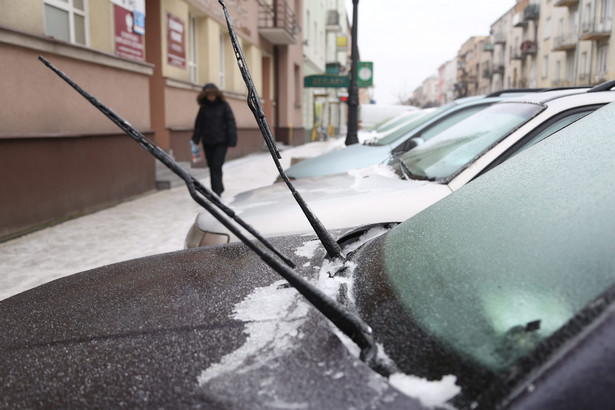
(378,150)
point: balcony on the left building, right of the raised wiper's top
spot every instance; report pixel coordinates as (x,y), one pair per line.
(277,23)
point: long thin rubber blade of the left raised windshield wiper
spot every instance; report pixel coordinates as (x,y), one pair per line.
(196,189)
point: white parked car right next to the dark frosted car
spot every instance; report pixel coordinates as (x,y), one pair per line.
(422,176)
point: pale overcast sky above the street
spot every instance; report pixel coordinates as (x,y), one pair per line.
(409,39)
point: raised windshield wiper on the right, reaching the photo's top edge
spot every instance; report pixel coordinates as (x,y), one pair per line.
(330,245)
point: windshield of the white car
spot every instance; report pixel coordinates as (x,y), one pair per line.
(452,150)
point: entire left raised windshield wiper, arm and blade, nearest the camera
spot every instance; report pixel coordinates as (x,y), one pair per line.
(349,323)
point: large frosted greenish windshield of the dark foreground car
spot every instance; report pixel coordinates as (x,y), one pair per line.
(509,259)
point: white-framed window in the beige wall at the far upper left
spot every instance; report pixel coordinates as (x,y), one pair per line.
(67,20)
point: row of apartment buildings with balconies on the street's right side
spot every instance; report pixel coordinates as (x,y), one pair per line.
(540,43)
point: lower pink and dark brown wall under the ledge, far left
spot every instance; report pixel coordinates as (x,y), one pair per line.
(59,155)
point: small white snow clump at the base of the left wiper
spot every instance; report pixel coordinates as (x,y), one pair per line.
(429,393)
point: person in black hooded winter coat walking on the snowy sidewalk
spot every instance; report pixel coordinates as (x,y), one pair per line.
(214,127)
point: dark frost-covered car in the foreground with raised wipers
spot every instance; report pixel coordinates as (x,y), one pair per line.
(501,295)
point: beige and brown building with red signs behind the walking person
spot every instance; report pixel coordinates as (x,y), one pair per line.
(147,60)
